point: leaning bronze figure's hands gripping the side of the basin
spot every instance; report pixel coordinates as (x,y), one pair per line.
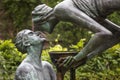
(65,64)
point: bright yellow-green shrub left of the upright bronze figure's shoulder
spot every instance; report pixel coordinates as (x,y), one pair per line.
(10,58)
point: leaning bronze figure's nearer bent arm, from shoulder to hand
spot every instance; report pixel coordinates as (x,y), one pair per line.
(78,17)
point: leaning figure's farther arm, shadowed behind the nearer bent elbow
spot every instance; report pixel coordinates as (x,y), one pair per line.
(115,39)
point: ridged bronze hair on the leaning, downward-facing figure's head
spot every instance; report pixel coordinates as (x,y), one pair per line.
(40,13)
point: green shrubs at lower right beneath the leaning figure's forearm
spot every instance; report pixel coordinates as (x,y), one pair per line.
(106,66)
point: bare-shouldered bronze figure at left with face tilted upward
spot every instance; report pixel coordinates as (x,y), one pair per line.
(32,68)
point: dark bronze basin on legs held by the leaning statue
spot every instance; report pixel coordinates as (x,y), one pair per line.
(56,56)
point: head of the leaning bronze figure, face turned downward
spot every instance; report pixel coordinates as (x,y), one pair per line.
(39,15)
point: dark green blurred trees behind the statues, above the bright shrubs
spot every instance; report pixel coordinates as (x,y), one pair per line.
(17,16)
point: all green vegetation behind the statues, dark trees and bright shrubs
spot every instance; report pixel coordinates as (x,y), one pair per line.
(15,15)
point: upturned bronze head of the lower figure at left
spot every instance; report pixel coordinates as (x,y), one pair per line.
(26,38)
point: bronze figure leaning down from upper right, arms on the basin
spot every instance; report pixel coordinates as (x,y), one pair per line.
(90,14)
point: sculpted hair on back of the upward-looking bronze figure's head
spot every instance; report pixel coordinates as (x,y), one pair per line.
(19,41)
